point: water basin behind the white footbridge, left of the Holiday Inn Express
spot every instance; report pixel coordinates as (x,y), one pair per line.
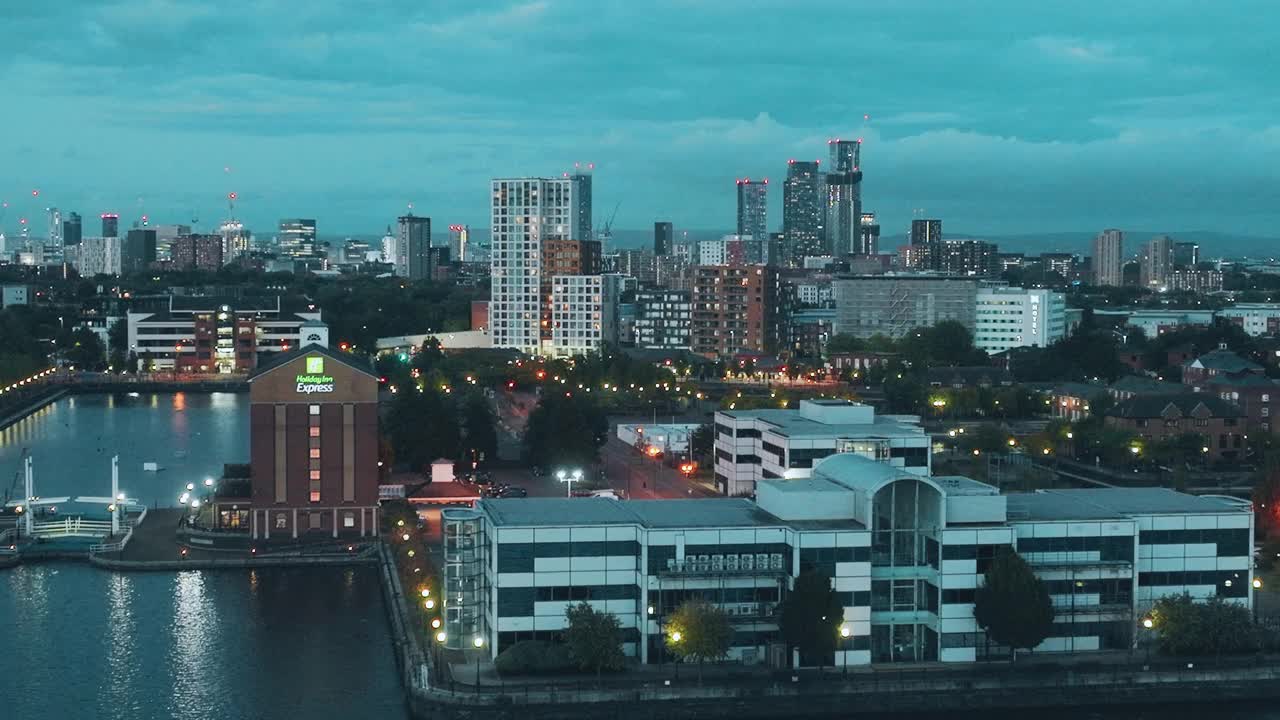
(72,443)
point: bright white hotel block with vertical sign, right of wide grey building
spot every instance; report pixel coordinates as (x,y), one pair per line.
(1012,317)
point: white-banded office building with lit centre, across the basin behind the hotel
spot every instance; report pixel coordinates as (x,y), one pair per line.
(221,335)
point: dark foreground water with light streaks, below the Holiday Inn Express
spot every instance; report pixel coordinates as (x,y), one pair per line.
(81,642)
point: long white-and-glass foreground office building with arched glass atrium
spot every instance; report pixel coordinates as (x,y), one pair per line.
(904,553)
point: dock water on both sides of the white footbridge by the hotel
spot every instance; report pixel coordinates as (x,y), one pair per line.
(81,642)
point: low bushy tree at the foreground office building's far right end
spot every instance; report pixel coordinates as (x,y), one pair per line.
(1187,627)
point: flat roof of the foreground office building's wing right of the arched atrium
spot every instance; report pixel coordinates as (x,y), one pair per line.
(1103,504)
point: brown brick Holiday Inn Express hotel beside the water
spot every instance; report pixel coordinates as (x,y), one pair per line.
(314,446)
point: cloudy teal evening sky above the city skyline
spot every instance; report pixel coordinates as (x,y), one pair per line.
(999,117)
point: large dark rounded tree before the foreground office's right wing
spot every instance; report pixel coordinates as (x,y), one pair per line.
(1013,605)
